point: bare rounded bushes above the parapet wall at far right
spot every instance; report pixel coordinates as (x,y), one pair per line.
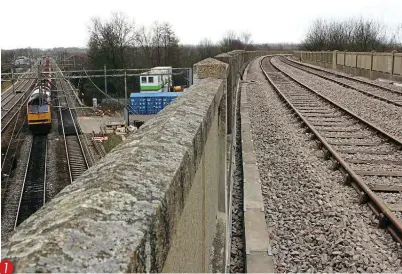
(352,35)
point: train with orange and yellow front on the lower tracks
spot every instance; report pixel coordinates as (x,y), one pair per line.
(39,103)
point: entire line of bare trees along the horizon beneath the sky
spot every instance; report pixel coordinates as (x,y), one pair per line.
(119,43)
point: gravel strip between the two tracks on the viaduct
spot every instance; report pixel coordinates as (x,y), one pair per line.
(382,114)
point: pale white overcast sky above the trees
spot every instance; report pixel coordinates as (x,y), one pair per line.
(50,23)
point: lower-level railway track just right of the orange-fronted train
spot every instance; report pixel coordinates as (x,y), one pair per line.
(73,140)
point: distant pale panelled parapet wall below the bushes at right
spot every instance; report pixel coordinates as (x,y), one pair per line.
(372,65)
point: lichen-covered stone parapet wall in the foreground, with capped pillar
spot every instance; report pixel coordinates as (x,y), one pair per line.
(157,202)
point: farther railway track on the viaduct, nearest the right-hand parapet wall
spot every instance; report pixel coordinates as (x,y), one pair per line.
(369,89)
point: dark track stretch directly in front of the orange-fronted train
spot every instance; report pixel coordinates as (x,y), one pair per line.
(33,193)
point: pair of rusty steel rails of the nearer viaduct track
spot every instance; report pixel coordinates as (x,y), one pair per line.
(387,218)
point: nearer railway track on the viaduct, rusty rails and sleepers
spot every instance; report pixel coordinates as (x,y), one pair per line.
(370,158)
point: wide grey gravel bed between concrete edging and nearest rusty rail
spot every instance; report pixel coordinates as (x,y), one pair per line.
(317,225)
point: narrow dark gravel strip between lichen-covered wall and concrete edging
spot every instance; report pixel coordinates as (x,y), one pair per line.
(237,241)
